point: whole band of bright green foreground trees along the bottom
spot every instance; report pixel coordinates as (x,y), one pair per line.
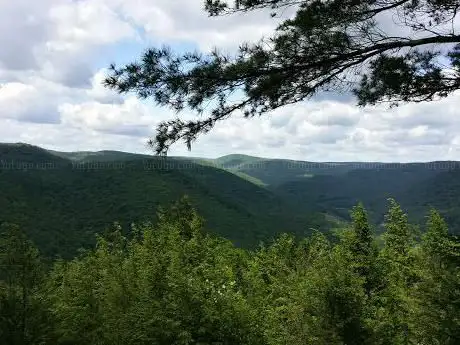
(173,283)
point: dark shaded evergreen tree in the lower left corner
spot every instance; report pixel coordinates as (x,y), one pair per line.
(23,317)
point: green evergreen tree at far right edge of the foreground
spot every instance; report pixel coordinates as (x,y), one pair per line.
(437,296)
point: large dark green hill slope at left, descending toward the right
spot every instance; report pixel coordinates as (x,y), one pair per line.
(61,206)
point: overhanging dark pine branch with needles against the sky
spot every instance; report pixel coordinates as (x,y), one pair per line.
(381,51)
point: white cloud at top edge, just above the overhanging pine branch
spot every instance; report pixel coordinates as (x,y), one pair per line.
(166,20)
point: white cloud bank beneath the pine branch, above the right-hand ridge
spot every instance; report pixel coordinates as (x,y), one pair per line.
(373,134)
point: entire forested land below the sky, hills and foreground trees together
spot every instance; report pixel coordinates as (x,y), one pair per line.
(261,251)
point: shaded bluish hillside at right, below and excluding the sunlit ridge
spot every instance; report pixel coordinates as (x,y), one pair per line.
(416,186)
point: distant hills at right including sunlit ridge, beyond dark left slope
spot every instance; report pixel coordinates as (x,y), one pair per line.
(334,188)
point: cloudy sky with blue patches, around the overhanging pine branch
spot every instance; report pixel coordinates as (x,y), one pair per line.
(53,57)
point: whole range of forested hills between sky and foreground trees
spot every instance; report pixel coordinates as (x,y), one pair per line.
(62,198)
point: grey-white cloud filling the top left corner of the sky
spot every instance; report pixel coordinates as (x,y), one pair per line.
(56,39)
